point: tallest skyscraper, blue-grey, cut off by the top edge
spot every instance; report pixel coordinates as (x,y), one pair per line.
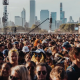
(32,12)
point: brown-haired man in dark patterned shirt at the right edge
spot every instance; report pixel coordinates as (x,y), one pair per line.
(73,71)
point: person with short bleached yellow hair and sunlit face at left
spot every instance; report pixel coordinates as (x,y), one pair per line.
(13,57)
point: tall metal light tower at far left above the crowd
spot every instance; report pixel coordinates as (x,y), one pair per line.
(5,16)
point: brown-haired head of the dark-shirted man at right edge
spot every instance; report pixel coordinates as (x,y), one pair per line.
(75,54)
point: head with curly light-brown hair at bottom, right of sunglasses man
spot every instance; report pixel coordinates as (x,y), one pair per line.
(58,73)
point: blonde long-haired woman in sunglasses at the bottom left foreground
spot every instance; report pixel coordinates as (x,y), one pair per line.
(19,72)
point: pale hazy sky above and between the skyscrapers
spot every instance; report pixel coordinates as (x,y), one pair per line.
(71,8)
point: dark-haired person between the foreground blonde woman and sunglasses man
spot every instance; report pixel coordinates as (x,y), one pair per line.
(30,65)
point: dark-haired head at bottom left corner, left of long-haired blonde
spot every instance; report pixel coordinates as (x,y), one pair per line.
(5,69)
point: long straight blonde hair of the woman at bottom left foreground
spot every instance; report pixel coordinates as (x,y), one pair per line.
(22,72)
